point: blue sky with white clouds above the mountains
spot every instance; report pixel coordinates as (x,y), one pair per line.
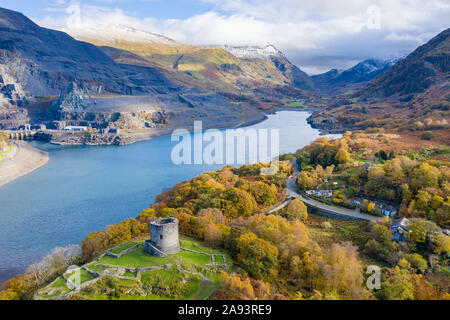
(315,35)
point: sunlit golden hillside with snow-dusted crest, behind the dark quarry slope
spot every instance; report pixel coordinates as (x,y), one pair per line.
(220,68)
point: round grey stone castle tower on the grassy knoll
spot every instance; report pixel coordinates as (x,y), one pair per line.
(163,237)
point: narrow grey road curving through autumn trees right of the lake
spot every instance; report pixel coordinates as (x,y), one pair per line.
(292,193)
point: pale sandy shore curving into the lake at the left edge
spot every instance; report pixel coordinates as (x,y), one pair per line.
(25,160)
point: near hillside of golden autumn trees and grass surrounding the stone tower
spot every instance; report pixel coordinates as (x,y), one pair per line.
(287,254)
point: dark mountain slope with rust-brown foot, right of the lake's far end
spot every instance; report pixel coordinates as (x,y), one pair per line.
(412,95)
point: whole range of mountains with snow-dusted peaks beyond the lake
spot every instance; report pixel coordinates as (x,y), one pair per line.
(146,84)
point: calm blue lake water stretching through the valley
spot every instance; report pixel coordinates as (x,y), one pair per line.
(84,189)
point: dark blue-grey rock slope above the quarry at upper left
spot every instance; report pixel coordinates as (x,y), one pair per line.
(40,61)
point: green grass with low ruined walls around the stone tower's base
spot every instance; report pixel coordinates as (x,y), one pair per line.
(190,275)
